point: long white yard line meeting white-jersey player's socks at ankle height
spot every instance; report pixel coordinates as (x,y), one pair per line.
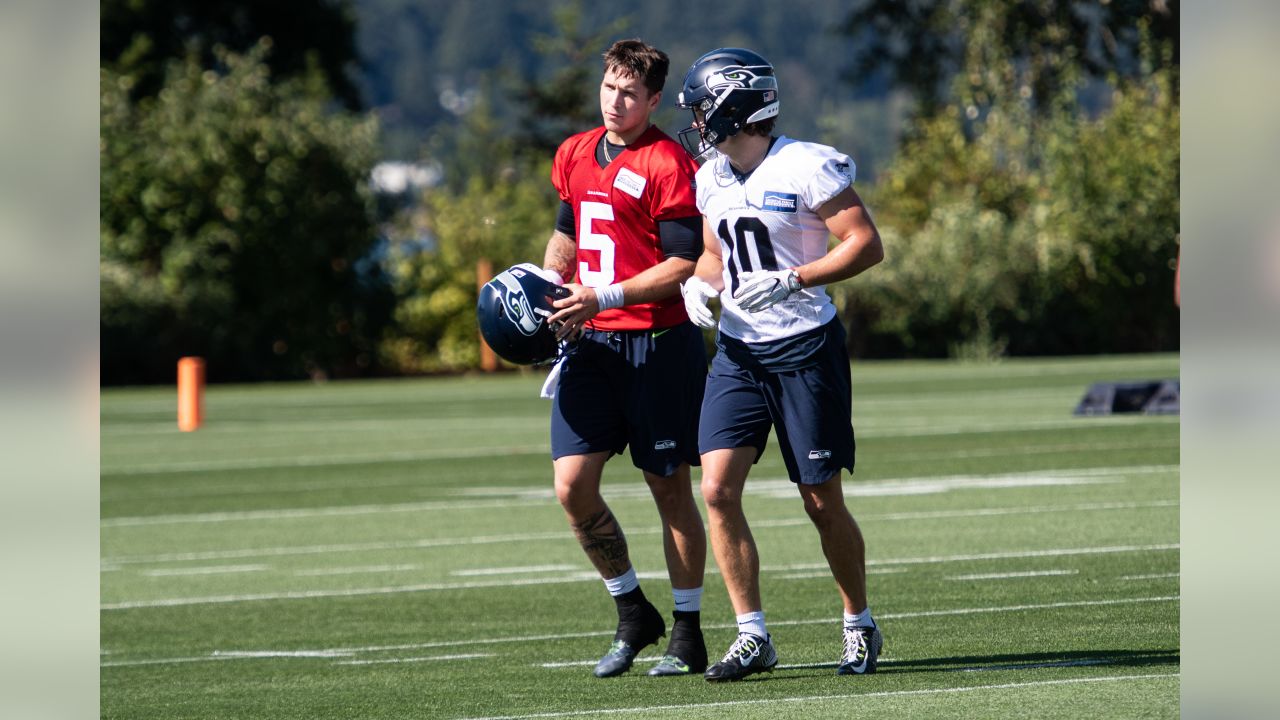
(525,640)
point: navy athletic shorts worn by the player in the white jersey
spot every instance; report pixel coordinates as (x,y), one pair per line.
(801,386)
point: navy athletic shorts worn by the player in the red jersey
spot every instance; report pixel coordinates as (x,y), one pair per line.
(633,388)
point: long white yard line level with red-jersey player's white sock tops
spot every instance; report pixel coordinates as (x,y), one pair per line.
(592,577)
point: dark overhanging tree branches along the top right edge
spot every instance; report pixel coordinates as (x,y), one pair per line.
(922,44)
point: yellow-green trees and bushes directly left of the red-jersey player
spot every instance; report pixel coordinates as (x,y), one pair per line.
(497,200)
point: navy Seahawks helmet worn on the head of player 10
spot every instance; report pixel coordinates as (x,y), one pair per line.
(726,89)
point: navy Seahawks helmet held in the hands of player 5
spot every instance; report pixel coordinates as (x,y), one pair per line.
(513,315)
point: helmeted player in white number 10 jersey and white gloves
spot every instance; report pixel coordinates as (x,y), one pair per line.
(770,206)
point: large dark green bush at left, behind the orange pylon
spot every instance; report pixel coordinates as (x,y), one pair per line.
(235,225)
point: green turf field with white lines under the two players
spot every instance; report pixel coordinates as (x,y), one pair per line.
(394,550)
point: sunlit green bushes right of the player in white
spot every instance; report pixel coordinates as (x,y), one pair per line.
(1022,227)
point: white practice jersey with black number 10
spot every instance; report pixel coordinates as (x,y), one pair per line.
(770,222)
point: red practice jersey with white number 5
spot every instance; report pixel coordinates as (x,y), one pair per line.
(618,211)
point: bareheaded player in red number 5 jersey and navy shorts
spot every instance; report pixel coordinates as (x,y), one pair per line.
(634,367)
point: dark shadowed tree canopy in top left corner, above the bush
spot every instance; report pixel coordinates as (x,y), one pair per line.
(139,38)
